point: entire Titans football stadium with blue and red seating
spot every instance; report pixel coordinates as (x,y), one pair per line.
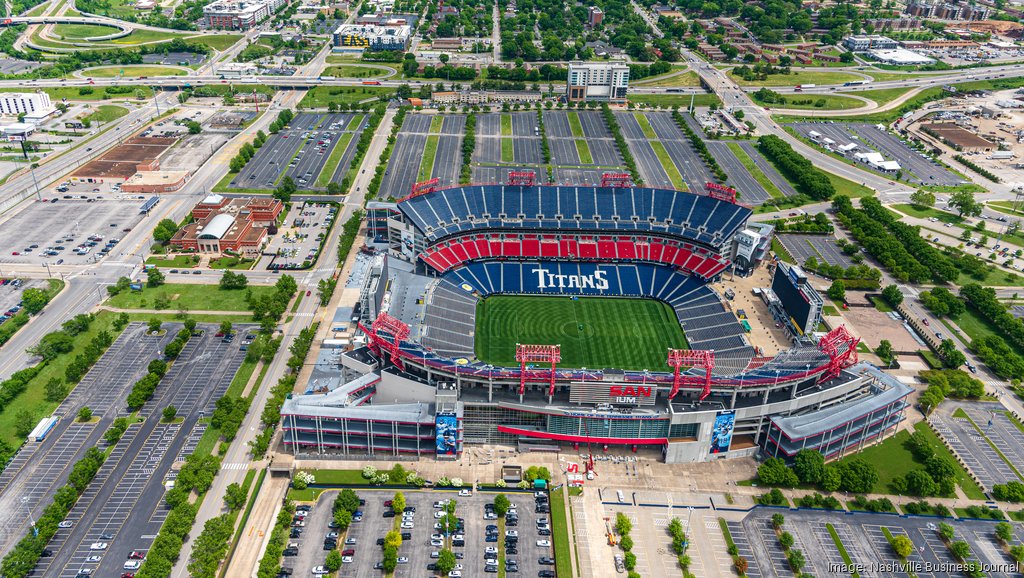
(552,316)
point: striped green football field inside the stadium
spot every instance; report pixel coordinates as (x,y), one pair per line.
(594,333)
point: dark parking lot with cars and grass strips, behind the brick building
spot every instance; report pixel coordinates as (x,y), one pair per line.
(302,152)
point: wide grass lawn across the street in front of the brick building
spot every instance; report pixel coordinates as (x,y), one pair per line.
(198,298)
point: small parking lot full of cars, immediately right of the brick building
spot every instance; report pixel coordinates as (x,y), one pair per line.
(298,240)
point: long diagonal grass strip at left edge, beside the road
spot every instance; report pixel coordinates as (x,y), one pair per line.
(34,398)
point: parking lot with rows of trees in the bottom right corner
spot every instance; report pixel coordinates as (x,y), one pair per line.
(865,542)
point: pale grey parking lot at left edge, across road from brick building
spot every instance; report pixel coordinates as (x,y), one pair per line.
(58,233)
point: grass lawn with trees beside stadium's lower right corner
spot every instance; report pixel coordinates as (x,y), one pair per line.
(892,460)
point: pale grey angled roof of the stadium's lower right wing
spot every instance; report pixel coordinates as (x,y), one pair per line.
(800,427)
